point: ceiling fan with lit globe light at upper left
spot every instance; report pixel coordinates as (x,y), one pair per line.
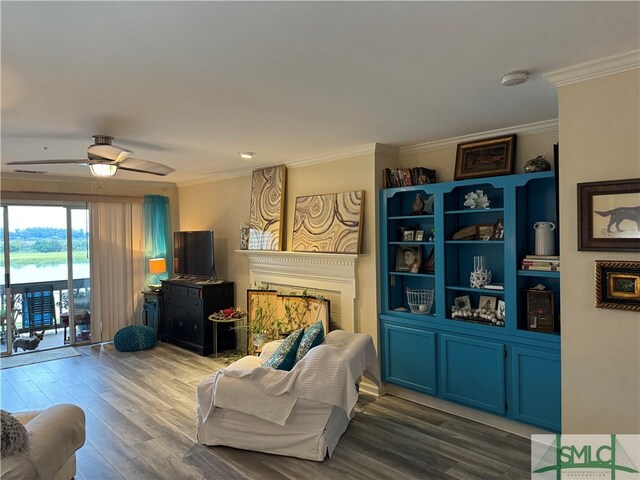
(105,159)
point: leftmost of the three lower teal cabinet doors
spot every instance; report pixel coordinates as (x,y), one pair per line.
(410,358)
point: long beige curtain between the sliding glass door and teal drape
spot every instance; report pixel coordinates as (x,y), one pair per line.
(117,267)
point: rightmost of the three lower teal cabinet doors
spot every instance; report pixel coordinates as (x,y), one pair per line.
(537,387)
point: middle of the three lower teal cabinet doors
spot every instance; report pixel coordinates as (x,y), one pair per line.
(473,372)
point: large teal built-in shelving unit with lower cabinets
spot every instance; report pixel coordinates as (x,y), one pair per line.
(509,370)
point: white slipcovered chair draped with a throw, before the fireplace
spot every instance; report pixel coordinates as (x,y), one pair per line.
(301,413)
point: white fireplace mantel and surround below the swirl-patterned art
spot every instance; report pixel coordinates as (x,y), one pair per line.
(326,273)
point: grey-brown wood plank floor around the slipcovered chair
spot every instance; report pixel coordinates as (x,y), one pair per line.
(140,410)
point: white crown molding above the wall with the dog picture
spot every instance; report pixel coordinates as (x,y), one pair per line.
(595,69)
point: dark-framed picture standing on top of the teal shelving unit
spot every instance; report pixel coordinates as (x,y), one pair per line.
(485,158)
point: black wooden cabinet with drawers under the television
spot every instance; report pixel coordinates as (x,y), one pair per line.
(187,304)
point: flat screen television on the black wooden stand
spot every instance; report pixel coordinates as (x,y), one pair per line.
(193,254)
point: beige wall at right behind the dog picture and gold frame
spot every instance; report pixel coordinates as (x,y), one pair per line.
(599,126)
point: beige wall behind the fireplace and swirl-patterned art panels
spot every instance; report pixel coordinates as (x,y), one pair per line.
(221,205)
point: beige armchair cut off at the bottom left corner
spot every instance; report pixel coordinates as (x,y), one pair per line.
(55,435)
